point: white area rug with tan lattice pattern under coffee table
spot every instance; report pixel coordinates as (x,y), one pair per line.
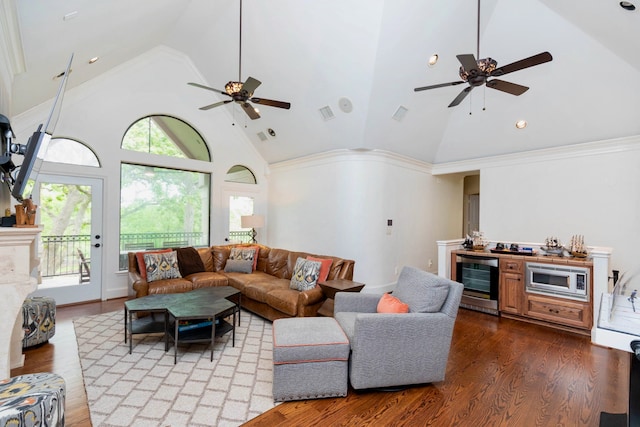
(145,388)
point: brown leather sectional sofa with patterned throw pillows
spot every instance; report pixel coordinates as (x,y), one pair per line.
(265,291)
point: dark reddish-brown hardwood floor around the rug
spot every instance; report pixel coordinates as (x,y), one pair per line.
(501,372)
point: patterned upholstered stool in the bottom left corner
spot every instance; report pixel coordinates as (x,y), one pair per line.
(32,400)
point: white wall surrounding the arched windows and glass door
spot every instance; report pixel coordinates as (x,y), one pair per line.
(99,112)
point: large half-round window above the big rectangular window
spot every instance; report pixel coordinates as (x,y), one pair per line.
(166,136)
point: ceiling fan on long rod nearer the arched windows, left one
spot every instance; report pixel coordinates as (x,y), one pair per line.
(242,93)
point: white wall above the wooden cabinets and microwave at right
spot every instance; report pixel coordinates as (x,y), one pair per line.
(591,190)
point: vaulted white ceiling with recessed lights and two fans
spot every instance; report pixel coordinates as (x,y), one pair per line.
(372,52)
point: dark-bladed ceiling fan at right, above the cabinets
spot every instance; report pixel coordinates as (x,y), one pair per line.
(476,72)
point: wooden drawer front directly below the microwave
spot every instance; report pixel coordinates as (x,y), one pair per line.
(559,310)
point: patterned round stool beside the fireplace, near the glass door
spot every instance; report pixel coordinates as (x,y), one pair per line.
(38,320)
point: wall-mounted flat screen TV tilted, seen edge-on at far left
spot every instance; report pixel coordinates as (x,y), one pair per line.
(37,145)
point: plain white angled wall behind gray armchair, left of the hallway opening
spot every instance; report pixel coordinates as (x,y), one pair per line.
(338,204)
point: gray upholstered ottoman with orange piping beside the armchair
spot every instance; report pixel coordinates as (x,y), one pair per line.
(310,358)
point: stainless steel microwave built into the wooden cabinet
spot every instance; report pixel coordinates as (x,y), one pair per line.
(561,280)
